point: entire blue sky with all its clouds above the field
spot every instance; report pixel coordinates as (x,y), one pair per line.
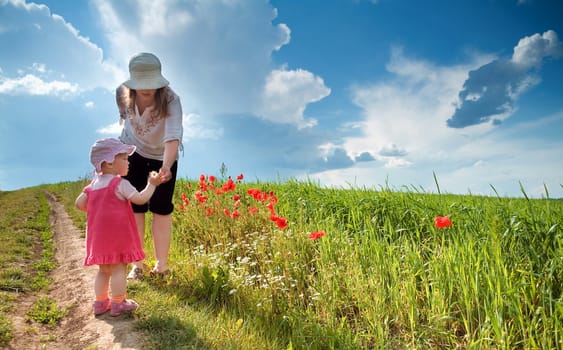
(349,93)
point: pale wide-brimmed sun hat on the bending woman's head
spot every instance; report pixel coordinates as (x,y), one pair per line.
(145,73)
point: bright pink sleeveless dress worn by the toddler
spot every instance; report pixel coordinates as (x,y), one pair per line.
(111,234)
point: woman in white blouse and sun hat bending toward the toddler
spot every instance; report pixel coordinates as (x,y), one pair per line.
(151,114)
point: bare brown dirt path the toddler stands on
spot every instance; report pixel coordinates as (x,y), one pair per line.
(73,289)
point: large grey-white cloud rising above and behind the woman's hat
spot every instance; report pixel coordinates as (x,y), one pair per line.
(217,55)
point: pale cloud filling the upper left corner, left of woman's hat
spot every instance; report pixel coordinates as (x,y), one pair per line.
(61,60)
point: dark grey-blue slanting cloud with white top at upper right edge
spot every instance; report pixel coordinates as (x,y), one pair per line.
(490,92)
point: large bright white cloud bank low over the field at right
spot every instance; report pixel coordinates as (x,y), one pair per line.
(404,127)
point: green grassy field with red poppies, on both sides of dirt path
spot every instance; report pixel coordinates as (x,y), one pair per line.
(295,266)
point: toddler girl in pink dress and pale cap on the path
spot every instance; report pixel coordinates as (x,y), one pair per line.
(112,239)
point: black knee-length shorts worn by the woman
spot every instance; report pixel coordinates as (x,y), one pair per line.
(161,200)
